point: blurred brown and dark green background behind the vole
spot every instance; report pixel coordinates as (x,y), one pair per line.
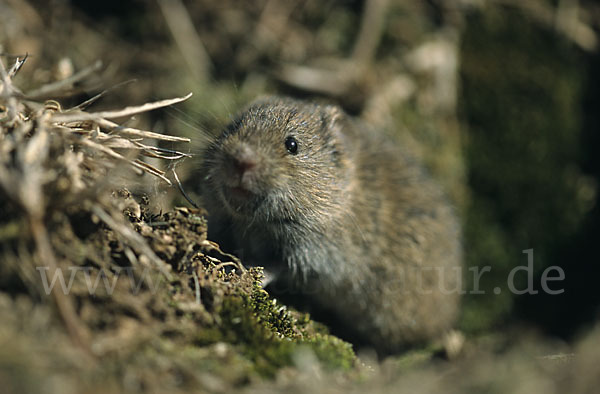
(499,97)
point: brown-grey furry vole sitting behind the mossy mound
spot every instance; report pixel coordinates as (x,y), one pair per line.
(341,215)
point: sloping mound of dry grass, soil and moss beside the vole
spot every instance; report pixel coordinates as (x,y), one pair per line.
(99,289)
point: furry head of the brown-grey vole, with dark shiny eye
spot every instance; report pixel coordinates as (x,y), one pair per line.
(280,160)
